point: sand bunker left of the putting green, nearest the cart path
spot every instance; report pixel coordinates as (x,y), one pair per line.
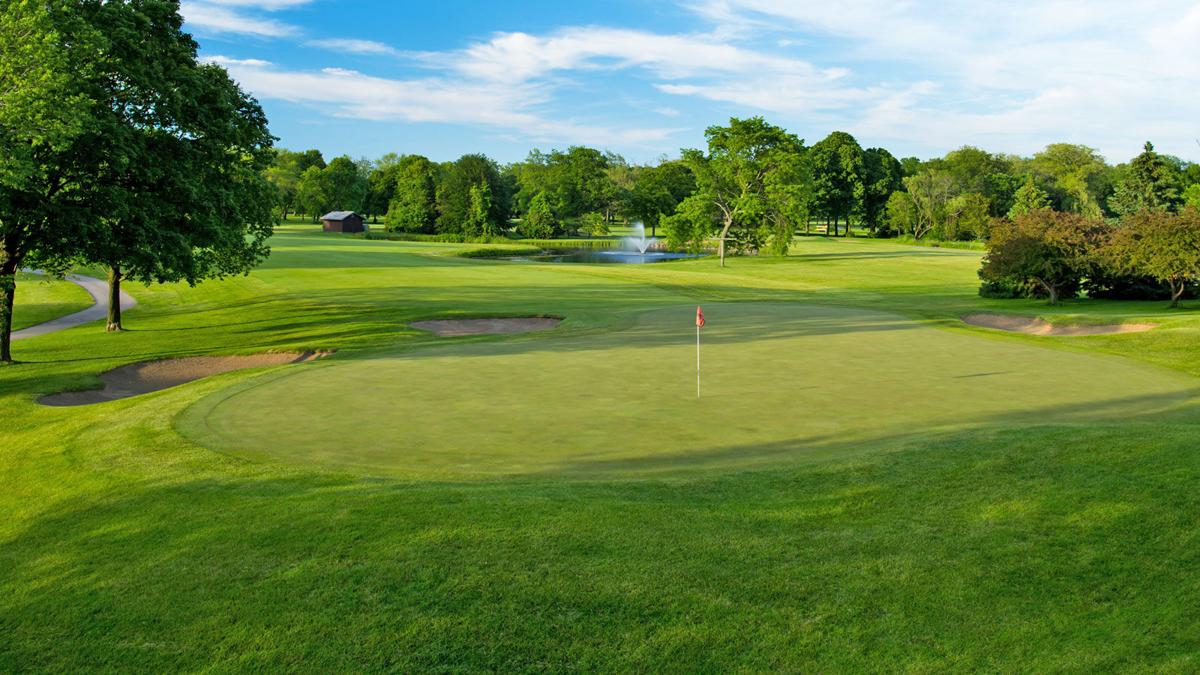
(152,377)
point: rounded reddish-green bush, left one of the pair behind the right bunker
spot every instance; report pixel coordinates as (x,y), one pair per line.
(1047,248)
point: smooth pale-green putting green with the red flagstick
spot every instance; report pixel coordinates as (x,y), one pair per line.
(782,383)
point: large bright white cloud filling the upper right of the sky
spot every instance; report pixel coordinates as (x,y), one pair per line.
(1017,75)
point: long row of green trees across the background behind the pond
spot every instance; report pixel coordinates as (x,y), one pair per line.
(751,189)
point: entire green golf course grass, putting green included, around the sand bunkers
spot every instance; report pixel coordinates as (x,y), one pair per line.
(1037,515)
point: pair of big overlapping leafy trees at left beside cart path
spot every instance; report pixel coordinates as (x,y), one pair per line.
(119,150)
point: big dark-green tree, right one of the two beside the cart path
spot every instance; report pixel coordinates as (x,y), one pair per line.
(185,152)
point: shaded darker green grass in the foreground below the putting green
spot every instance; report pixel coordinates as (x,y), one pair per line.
(968,551)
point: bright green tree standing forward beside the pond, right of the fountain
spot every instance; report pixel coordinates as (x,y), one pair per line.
(733,176)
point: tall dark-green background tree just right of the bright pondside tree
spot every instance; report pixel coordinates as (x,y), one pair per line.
(838,174)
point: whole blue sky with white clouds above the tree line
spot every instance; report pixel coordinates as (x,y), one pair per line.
(369,77)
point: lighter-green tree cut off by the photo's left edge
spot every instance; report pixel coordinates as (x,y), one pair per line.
(47,52)
